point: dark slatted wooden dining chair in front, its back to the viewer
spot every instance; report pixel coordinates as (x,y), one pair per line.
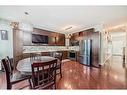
(44,75)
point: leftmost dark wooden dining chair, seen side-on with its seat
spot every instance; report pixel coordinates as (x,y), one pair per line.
(13,78)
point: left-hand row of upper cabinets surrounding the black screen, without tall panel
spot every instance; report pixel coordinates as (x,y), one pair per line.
(54,39)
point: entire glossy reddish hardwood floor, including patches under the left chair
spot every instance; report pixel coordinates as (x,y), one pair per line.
(113,75)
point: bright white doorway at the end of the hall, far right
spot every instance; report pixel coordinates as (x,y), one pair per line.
(118,48)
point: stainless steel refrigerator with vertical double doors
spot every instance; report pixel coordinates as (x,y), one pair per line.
(86,52)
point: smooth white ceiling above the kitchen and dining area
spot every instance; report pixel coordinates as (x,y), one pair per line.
(60,18)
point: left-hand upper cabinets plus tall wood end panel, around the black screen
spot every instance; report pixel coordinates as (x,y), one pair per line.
(24,38)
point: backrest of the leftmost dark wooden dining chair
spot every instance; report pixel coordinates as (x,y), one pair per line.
(8,70)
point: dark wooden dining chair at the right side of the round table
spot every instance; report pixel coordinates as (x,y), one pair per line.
(58,56)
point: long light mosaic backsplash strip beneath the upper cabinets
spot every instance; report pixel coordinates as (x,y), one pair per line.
(31,49)
